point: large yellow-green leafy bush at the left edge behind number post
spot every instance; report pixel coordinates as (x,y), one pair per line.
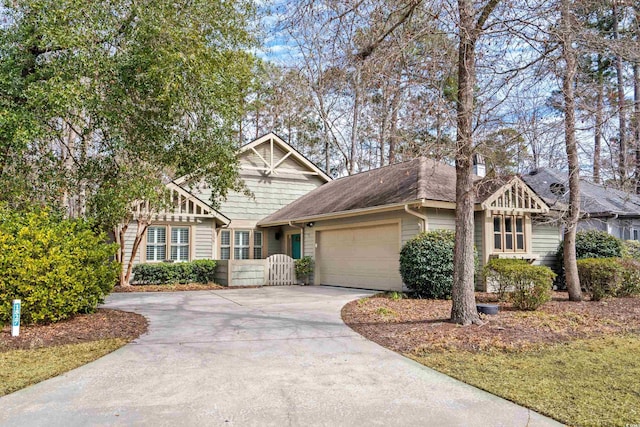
(56,267)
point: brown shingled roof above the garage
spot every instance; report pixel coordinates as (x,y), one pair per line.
(409,182)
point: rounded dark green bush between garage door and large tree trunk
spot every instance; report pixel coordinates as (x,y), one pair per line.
(426,263)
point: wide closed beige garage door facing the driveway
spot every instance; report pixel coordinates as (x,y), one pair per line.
(362,257)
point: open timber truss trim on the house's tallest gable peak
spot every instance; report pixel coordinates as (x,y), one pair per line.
(271,165)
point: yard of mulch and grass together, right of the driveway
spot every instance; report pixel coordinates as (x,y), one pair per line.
(576,362)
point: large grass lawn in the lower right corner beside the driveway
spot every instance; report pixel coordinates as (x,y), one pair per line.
(592,382)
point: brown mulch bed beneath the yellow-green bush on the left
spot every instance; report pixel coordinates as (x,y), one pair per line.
(102,324)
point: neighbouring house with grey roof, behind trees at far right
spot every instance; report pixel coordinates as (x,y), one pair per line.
(602,208)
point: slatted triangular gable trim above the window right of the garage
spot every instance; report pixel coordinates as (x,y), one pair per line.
(515,196)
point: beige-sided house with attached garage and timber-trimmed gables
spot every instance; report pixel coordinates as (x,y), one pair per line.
(353,227)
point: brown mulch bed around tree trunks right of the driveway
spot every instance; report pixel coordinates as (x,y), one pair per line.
(415,325)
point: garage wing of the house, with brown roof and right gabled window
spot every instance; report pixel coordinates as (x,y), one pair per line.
(355,226)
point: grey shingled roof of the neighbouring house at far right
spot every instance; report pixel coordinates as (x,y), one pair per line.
(596,200)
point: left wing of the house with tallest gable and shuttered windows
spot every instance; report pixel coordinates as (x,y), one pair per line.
(276,175)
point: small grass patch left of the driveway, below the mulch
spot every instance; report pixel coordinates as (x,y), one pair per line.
(21,368)
